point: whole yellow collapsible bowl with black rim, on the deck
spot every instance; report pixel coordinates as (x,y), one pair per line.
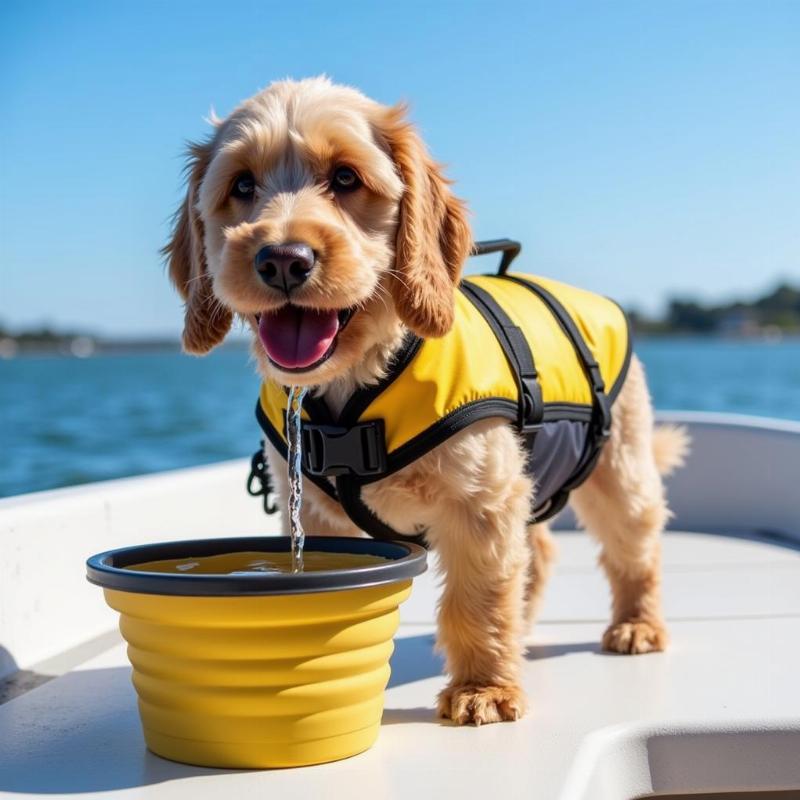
(256,670)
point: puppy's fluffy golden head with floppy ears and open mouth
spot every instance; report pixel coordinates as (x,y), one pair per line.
(318,216)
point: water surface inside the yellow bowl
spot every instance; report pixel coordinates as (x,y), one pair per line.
(253,563)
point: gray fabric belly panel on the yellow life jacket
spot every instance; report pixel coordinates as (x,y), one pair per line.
(558,451)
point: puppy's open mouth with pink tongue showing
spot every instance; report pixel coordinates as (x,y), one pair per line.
(295,337)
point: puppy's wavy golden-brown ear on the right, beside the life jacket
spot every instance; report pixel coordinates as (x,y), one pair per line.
(433,235)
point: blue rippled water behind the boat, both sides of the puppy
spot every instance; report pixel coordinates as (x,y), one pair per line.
(69,421)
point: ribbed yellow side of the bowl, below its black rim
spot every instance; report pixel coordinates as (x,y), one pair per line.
(266,681)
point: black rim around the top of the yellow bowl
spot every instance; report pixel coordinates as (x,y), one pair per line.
(407,560)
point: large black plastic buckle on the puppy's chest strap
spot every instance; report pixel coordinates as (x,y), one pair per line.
(329,450)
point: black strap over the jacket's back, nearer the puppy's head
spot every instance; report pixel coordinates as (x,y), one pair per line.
(518,354)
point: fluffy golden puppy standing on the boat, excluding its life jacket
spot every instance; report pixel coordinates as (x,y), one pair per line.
(366,239)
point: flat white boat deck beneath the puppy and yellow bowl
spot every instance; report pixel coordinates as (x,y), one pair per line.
(720,710)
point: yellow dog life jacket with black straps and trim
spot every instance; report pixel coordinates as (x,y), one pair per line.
(548,357)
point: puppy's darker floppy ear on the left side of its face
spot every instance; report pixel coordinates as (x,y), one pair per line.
(206,321)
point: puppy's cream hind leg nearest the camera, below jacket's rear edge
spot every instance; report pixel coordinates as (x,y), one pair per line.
(624,506)
